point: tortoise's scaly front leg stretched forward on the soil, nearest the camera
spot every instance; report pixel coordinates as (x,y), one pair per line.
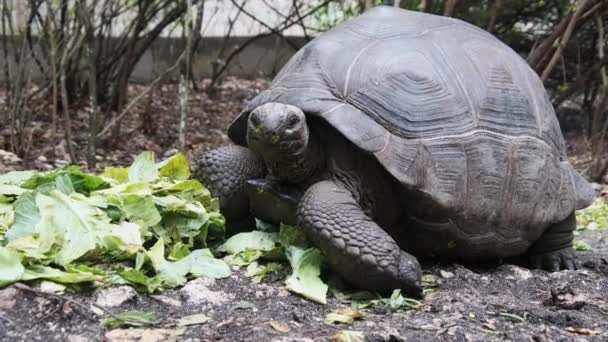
(354,245)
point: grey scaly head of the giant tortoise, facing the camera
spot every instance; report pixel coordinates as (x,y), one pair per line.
(277,132)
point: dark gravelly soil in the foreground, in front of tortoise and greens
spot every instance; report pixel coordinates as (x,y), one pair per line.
(503,303)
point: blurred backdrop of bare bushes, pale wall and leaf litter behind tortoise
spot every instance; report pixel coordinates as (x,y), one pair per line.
(95,82)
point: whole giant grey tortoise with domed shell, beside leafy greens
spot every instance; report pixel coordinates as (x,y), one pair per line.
(399,134)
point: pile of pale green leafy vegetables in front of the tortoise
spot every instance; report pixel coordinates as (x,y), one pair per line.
(149,226)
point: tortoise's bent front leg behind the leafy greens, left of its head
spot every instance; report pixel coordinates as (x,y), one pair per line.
(225,172)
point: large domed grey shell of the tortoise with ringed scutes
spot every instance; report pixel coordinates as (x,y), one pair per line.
(455,115)
